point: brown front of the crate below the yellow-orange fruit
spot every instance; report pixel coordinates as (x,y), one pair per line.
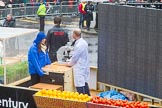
(46,102)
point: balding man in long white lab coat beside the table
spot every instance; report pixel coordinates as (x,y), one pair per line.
(80,63)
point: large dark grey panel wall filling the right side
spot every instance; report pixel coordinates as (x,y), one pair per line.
(130,48)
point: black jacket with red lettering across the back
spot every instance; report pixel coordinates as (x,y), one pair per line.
(56,38)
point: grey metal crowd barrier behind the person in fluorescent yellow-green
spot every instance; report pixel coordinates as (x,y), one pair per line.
(52,9)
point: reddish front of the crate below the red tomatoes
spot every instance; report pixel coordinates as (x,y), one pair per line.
(94,105)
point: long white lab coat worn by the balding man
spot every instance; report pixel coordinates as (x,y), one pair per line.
(80,63)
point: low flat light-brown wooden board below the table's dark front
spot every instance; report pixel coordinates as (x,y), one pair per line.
(47,86)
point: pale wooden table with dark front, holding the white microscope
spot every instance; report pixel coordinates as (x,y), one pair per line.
(65,73)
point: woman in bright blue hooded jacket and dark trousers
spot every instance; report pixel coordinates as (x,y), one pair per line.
(38,57)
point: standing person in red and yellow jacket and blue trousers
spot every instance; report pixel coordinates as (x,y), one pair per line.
(82,13)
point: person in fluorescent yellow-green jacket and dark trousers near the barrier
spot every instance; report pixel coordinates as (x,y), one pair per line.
(41,12)
